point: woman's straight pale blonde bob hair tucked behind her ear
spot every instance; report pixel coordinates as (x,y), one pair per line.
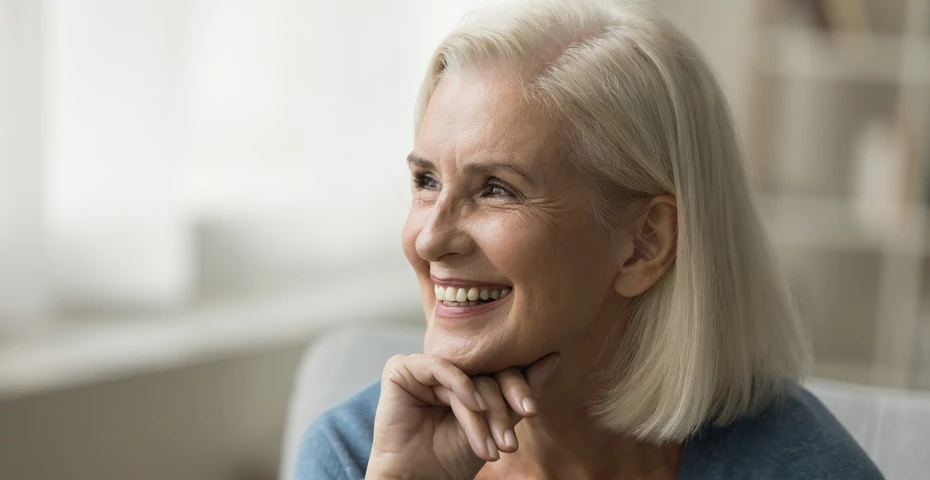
(718,337)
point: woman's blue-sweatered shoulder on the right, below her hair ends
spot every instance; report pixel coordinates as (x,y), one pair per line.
(797,438)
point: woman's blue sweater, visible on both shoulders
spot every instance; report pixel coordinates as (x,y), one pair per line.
(798,440)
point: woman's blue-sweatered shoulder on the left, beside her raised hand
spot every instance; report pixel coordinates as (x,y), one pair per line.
(338,443)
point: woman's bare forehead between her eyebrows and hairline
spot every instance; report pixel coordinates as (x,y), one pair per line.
(480,114)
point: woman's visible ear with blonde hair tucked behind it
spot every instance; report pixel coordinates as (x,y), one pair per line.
(649,248)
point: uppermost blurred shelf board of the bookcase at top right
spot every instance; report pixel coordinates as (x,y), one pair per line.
(800,53)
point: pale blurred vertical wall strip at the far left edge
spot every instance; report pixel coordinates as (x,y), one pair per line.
(21,146)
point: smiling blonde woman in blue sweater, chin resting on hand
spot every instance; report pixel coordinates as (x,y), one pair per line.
(600,298)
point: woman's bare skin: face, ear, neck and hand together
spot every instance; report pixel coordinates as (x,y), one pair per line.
(497,203)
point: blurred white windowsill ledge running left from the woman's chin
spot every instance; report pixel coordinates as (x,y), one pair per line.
(96,351)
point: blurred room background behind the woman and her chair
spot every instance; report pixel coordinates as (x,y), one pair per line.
(191,191)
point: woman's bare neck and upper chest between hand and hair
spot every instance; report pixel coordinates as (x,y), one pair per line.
(566,441)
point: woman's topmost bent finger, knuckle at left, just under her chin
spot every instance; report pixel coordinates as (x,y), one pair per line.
(418,374)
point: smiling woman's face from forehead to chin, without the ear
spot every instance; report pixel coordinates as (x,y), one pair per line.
(498,207)
